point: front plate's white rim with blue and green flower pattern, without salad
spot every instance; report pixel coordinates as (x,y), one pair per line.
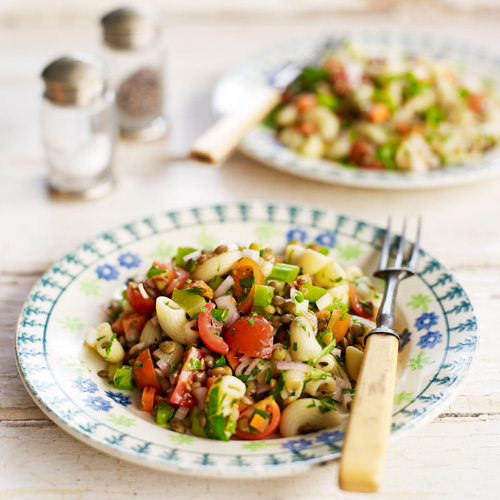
(61,374)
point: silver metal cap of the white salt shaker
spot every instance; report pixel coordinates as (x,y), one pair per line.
(74,80)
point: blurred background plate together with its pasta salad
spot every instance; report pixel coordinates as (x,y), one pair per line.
(375,111)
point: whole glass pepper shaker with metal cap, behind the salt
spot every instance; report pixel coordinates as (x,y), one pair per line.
(134,49)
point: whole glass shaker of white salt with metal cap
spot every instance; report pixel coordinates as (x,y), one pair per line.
(79,126)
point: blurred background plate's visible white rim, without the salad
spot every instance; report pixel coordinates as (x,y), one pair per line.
(236,85)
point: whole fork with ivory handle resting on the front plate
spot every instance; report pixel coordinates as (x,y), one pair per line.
(365,443)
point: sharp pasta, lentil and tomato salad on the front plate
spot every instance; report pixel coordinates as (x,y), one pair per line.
(238,341)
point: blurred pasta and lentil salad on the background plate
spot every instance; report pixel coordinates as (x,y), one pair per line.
(389,111)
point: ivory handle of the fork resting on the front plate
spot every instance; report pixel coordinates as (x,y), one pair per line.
(365,444)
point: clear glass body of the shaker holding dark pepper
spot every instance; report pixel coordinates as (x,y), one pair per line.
(138,77)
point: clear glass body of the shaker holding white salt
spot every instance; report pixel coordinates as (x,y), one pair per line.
(79,144)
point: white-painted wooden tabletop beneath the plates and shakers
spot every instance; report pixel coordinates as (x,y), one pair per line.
(455,456)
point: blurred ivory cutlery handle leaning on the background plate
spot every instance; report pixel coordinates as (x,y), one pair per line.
(217,142)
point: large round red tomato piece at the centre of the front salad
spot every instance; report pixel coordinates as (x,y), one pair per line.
(251,335)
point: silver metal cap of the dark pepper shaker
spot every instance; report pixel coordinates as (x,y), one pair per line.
(130,28)
